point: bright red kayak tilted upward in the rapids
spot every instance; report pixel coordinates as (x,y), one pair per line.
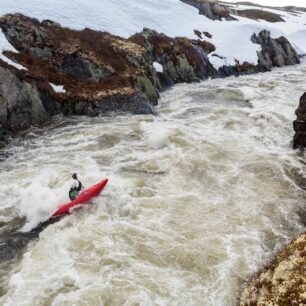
(83,198)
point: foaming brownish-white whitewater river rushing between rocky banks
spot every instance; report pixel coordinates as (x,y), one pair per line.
(198,198)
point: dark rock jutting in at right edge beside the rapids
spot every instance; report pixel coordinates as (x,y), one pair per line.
(299,125)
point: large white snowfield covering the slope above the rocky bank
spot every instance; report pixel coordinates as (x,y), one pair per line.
(172,17)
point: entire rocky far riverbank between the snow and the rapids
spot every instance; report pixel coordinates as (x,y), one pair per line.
(89,72)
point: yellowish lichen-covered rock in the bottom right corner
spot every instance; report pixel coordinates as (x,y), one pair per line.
(282,282)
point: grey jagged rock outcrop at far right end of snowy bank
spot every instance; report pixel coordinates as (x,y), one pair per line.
(275,52)
